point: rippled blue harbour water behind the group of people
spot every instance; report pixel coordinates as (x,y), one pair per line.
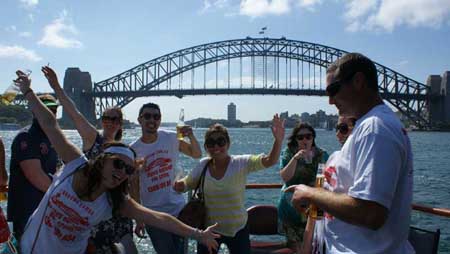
(431,174)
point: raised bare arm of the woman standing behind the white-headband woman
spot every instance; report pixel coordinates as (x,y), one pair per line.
(86,130)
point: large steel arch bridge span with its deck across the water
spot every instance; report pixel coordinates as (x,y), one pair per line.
(410,97)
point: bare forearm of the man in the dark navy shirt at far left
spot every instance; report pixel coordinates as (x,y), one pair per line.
(33,172)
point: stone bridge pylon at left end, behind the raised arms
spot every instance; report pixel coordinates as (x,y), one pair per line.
(78,86)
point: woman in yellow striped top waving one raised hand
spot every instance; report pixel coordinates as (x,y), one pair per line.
(224,185)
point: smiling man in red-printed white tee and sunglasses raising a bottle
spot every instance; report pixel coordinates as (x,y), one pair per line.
(160,148)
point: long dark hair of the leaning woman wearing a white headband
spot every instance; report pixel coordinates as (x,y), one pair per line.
(93,172)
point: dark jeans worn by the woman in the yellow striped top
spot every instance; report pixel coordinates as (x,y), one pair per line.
(239,244)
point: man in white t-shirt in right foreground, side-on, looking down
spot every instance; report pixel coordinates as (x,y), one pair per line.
(368,191)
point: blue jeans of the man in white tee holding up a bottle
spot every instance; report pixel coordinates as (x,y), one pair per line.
(165,242)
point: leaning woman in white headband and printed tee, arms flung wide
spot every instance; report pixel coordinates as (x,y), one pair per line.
(86,192)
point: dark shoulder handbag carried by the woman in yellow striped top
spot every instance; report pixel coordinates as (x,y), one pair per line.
(194,212)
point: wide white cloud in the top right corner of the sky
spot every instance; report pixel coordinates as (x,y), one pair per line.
(388,14)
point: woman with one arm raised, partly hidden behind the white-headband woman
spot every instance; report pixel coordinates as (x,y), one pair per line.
(117,229)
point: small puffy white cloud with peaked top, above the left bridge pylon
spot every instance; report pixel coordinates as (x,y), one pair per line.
(55,34)
